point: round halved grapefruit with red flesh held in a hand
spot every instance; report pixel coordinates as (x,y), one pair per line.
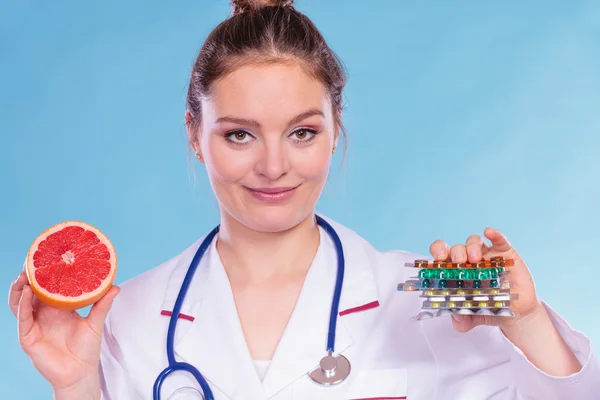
(71,265)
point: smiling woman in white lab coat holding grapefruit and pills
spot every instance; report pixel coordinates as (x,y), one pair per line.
(264,116)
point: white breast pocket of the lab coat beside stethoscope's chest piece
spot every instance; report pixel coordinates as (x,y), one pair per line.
(388,384)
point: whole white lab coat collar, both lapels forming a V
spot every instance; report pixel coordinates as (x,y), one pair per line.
(209,334)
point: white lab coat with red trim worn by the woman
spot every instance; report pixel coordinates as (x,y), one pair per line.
(392,356)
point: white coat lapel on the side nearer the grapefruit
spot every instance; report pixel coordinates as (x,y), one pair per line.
(214,342)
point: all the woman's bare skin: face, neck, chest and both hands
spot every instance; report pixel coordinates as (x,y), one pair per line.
(258,240)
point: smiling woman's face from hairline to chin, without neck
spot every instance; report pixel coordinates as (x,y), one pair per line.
(267,137)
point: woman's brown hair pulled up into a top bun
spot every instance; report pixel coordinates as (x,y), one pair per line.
(266,31)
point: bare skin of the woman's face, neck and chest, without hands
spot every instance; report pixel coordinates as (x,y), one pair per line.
(258,241)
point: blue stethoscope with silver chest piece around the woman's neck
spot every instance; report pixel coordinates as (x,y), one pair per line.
(332,370)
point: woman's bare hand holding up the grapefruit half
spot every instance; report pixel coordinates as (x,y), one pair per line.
(63,346)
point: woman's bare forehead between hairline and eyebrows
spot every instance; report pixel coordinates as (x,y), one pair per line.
(268,89)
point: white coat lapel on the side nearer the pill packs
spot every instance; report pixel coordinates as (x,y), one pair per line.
(304,341)
